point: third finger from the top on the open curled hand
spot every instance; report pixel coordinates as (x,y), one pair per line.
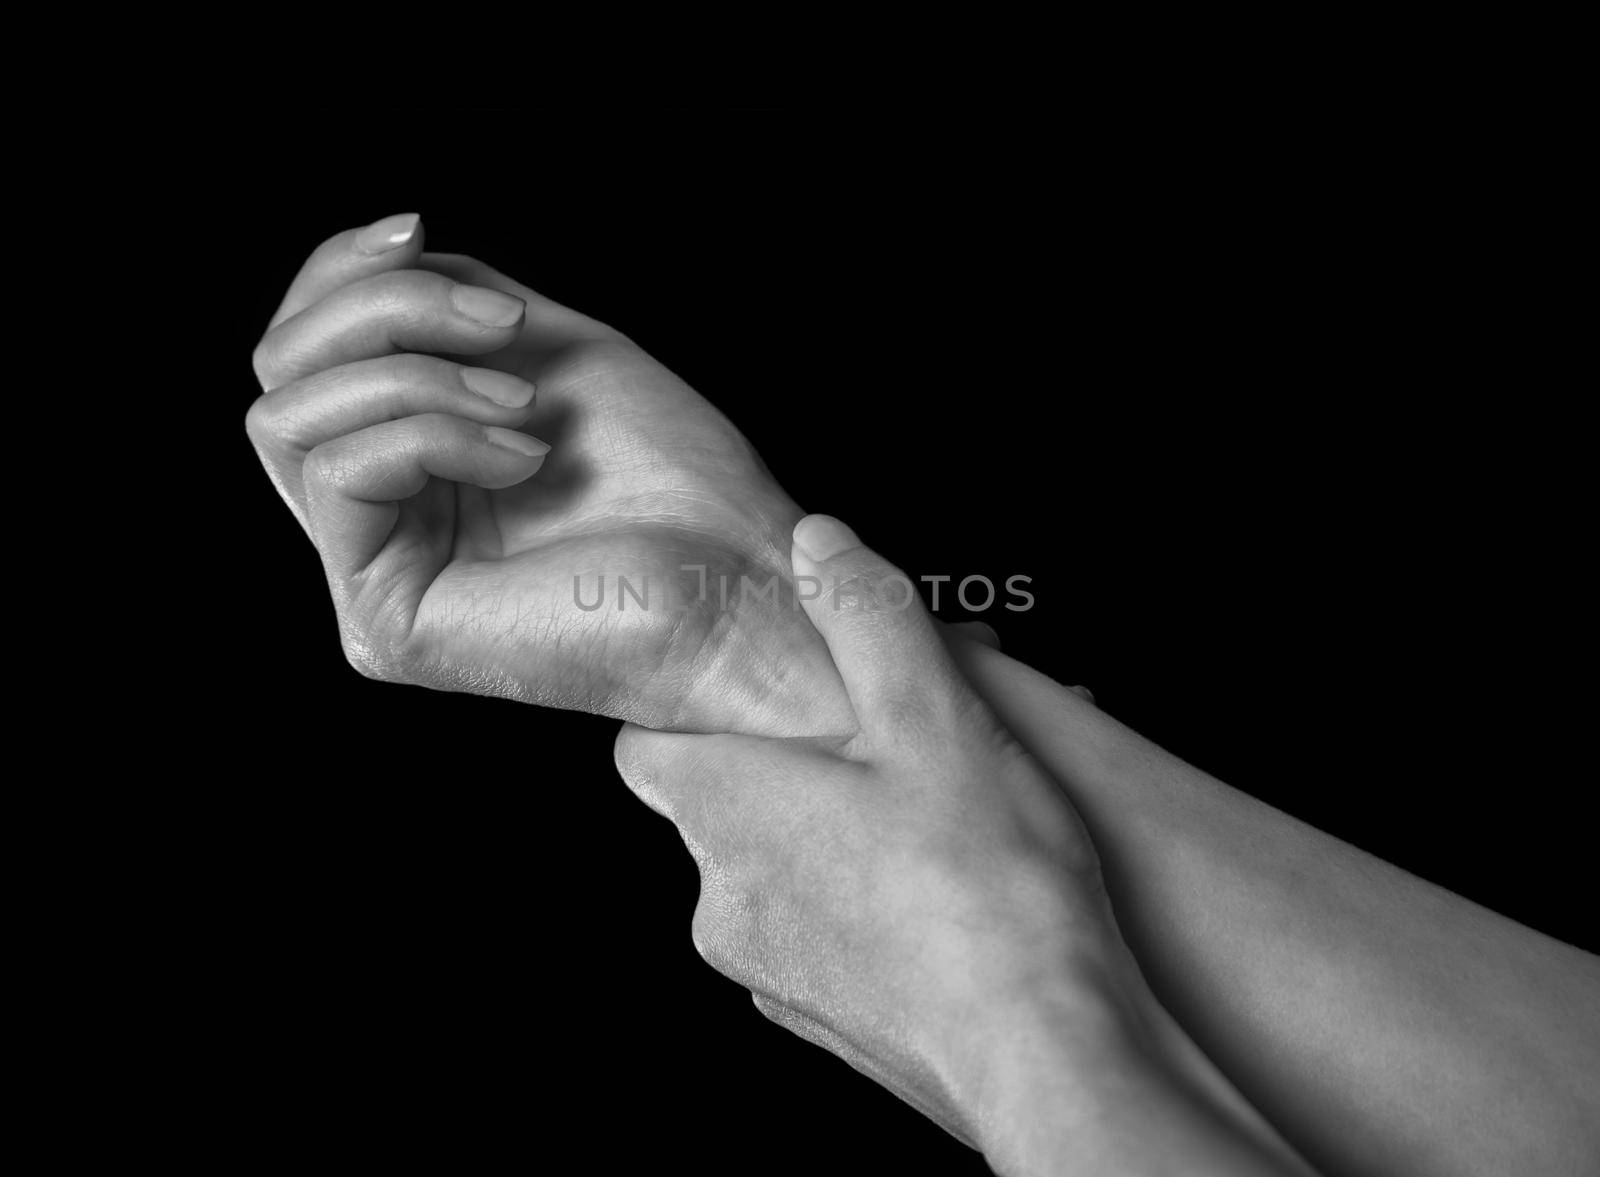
(289,423)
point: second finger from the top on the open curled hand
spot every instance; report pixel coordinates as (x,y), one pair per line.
(406,311)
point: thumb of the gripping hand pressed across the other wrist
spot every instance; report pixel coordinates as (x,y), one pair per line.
(881,637)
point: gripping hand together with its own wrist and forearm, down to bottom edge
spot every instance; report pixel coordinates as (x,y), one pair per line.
(922,901)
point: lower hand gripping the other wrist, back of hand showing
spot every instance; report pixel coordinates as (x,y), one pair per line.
(902,895)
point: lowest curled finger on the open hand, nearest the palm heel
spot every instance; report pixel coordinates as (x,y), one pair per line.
(356,482)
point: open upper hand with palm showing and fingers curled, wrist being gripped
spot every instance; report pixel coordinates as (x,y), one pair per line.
(465,506)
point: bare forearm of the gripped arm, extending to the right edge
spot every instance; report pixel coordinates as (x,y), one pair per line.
(1383,1024)
